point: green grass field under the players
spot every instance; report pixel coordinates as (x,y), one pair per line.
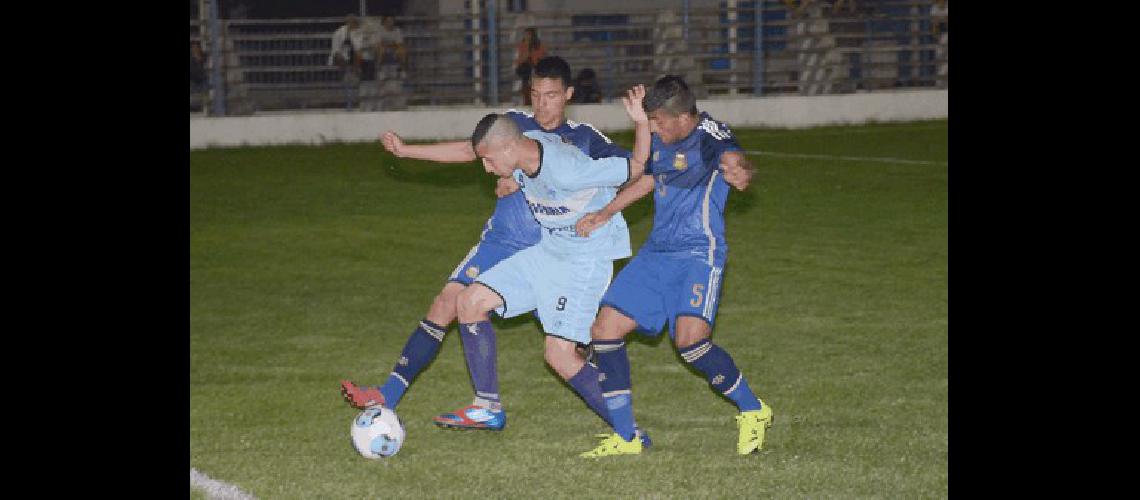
(311,265)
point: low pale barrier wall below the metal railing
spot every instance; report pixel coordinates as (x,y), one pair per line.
(455,122)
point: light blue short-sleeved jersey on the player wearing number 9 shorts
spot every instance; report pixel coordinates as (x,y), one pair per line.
(569,185)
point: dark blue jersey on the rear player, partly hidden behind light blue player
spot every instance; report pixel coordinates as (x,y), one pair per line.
(514,225)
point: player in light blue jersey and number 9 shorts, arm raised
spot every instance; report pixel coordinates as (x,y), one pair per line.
(564,277)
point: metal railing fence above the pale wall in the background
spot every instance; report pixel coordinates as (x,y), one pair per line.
(282,64)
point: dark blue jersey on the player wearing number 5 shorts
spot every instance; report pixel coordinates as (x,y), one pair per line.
(690,193)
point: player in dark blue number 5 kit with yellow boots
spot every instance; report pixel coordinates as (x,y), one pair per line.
(675,278)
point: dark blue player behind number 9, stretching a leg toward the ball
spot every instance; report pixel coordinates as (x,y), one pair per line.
(511,228)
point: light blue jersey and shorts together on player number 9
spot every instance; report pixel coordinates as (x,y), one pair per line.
(564,276)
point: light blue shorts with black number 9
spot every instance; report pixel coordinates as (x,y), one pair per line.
(565,292)
